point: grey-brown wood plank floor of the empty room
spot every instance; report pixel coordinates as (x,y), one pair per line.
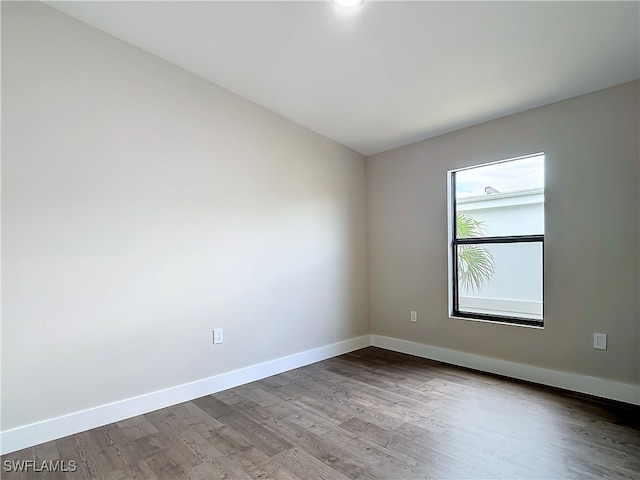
(371,414)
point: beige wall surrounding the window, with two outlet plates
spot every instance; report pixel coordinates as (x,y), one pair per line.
(592,236)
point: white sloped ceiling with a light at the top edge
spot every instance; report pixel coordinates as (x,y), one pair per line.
(390,73)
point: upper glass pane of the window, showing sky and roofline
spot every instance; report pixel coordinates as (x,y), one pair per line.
(501,199)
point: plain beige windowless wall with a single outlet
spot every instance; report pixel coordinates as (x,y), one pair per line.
(142,207)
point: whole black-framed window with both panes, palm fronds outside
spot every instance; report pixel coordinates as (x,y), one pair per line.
(496,240)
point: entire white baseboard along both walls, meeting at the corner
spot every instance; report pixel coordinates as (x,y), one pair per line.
(54,428)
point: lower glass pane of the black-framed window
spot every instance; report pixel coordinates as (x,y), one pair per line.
(501,279)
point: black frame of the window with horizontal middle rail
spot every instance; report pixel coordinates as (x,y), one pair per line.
(507,239)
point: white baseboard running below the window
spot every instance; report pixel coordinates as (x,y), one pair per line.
(598,387)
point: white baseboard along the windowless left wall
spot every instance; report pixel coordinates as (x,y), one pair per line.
(54,428)
